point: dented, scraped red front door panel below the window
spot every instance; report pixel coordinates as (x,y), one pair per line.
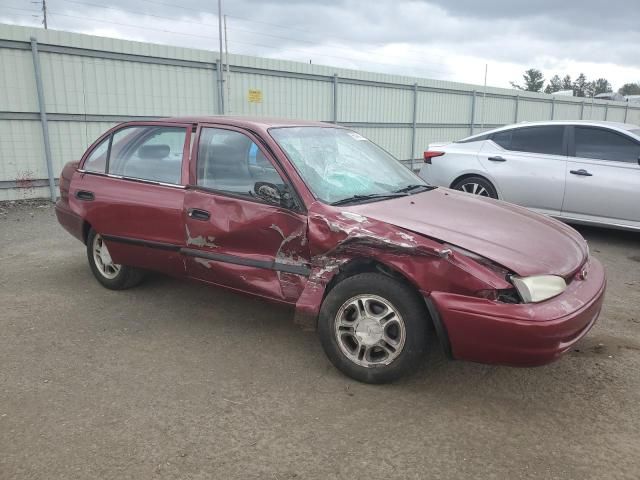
(245,245)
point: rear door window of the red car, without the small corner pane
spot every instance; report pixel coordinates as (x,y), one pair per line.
(148,153)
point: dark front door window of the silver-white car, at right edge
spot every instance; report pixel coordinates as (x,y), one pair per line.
(604,144)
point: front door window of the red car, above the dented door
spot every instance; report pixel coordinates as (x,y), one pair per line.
(229,161)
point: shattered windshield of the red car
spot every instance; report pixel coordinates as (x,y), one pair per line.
(337,164)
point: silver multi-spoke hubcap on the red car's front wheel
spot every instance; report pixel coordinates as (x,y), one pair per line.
(369,330)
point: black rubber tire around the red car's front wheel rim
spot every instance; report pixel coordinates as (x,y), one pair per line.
(403,299)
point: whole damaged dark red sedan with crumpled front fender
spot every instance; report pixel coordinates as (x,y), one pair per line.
(318,217)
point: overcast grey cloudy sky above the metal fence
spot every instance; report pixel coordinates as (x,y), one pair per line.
(443,39)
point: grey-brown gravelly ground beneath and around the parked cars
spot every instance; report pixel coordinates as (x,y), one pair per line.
(177,380)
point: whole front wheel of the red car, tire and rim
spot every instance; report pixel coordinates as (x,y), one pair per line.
(373,328)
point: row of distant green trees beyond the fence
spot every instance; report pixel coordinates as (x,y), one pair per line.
(534,81)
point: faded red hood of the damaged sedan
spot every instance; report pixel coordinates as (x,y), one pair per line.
(524,242)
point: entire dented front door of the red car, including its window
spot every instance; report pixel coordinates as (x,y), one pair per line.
(232,237)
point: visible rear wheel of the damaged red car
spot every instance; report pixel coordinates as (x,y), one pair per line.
(111,275)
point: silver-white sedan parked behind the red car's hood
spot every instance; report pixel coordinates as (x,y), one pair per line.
(578,171)
